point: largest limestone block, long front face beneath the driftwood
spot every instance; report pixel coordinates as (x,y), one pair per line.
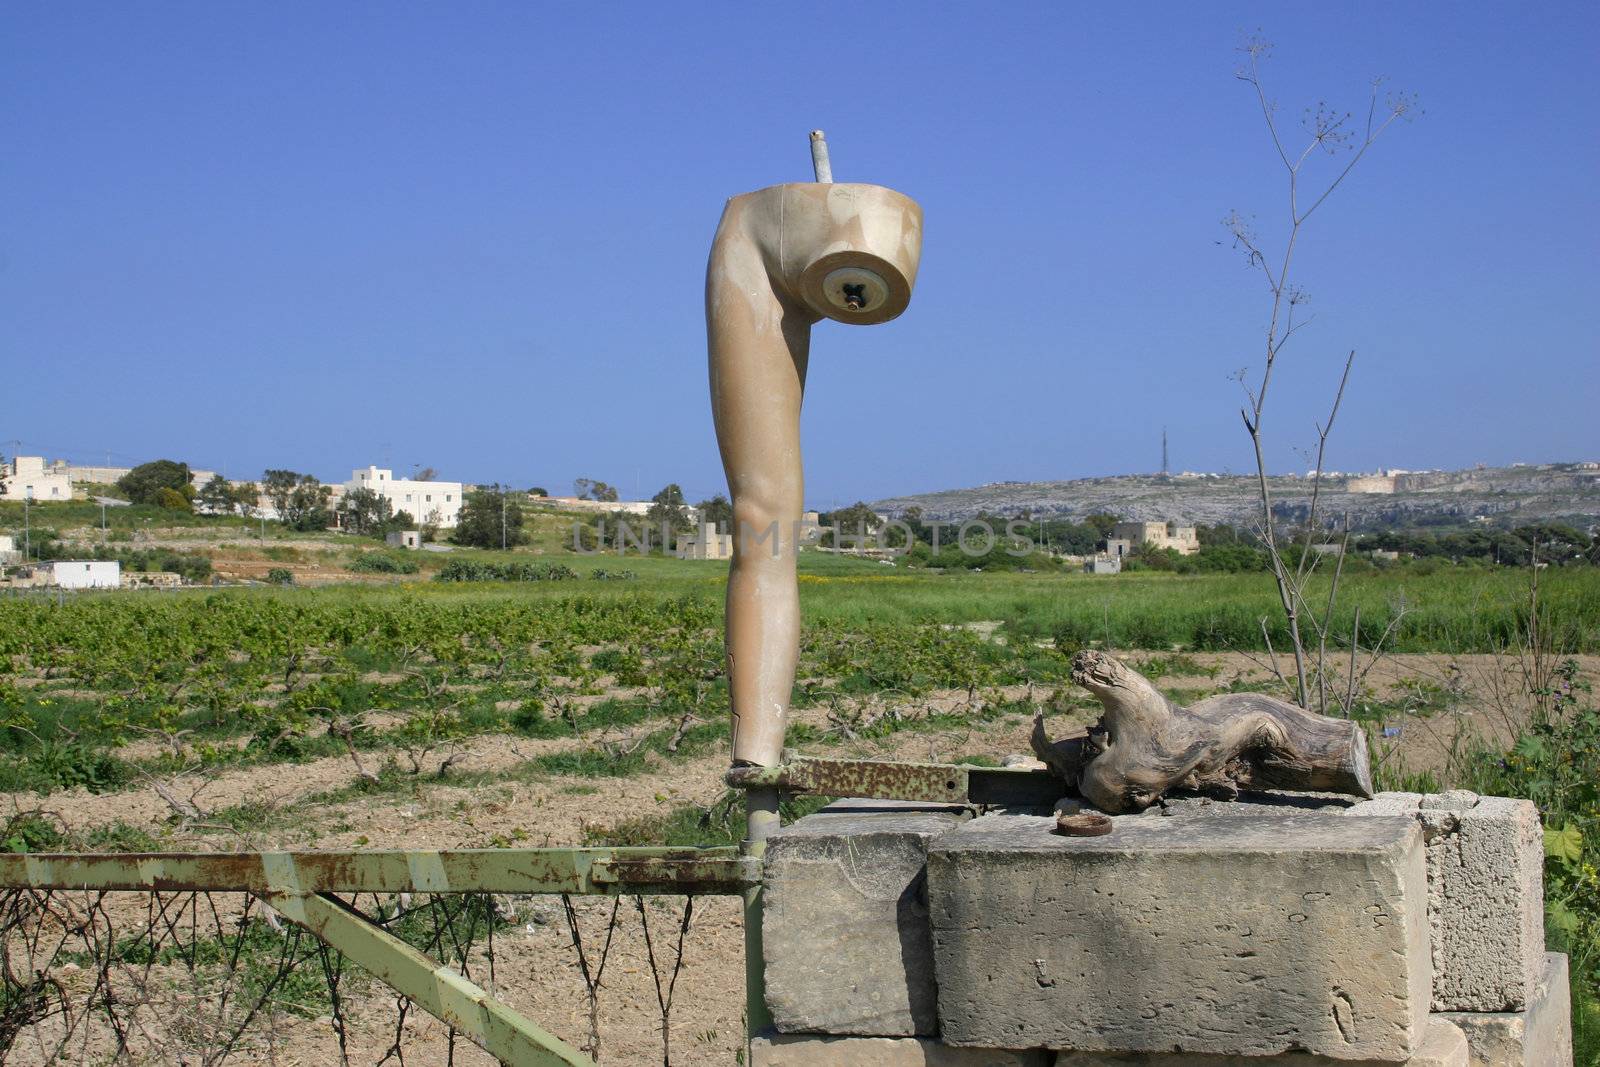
(1225,937)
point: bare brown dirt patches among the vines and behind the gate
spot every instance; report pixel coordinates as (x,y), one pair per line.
(535,965)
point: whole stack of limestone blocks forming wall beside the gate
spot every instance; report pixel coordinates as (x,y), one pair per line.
(1287,933)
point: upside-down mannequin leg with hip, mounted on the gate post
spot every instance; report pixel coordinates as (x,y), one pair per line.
(785,258)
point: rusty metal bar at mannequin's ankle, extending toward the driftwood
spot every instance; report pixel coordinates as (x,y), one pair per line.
(887,780)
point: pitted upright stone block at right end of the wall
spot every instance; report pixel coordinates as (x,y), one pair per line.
(1486,879)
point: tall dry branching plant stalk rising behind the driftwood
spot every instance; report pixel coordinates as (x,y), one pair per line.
(1297,554)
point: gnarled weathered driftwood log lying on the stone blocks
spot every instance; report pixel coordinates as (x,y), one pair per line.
(1146,746)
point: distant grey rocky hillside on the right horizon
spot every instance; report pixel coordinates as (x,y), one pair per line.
(1505,497)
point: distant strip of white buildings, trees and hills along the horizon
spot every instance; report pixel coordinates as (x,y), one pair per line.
(1183,522)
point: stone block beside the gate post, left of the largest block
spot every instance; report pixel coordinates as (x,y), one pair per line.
(846,921)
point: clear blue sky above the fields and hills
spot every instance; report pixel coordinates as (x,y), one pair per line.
(474,236)
